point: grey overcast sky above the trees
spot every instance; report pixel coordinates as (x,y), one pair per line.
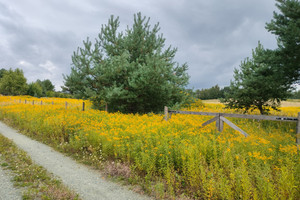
(212,36)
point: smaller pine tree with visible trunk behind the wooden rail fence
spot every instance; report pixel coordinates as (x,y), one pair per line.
(254,85)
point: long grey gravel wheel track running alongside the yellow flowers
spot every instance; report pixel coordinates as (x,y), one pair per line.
(89,184)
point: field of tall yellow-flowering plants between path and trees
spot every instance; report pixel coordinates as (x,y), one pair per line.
(176,158)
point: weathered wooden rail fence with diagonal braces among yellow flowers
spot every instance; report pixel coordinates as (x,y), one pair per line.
(220,119)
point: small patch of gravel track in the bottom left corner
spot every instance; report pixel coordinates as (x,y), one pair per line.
(7,190)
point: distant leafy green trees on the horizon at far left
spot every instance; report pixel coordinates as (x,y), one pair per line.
(13,82)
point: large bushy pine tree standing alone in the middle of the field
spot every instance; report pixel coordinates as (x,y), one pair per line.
(131,71)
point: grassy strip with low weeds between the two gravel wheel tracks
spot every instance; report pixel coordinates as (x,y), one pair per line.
(37,182)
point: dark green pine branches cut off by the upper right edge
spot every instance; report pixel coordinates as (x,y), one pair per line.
(286,26)
